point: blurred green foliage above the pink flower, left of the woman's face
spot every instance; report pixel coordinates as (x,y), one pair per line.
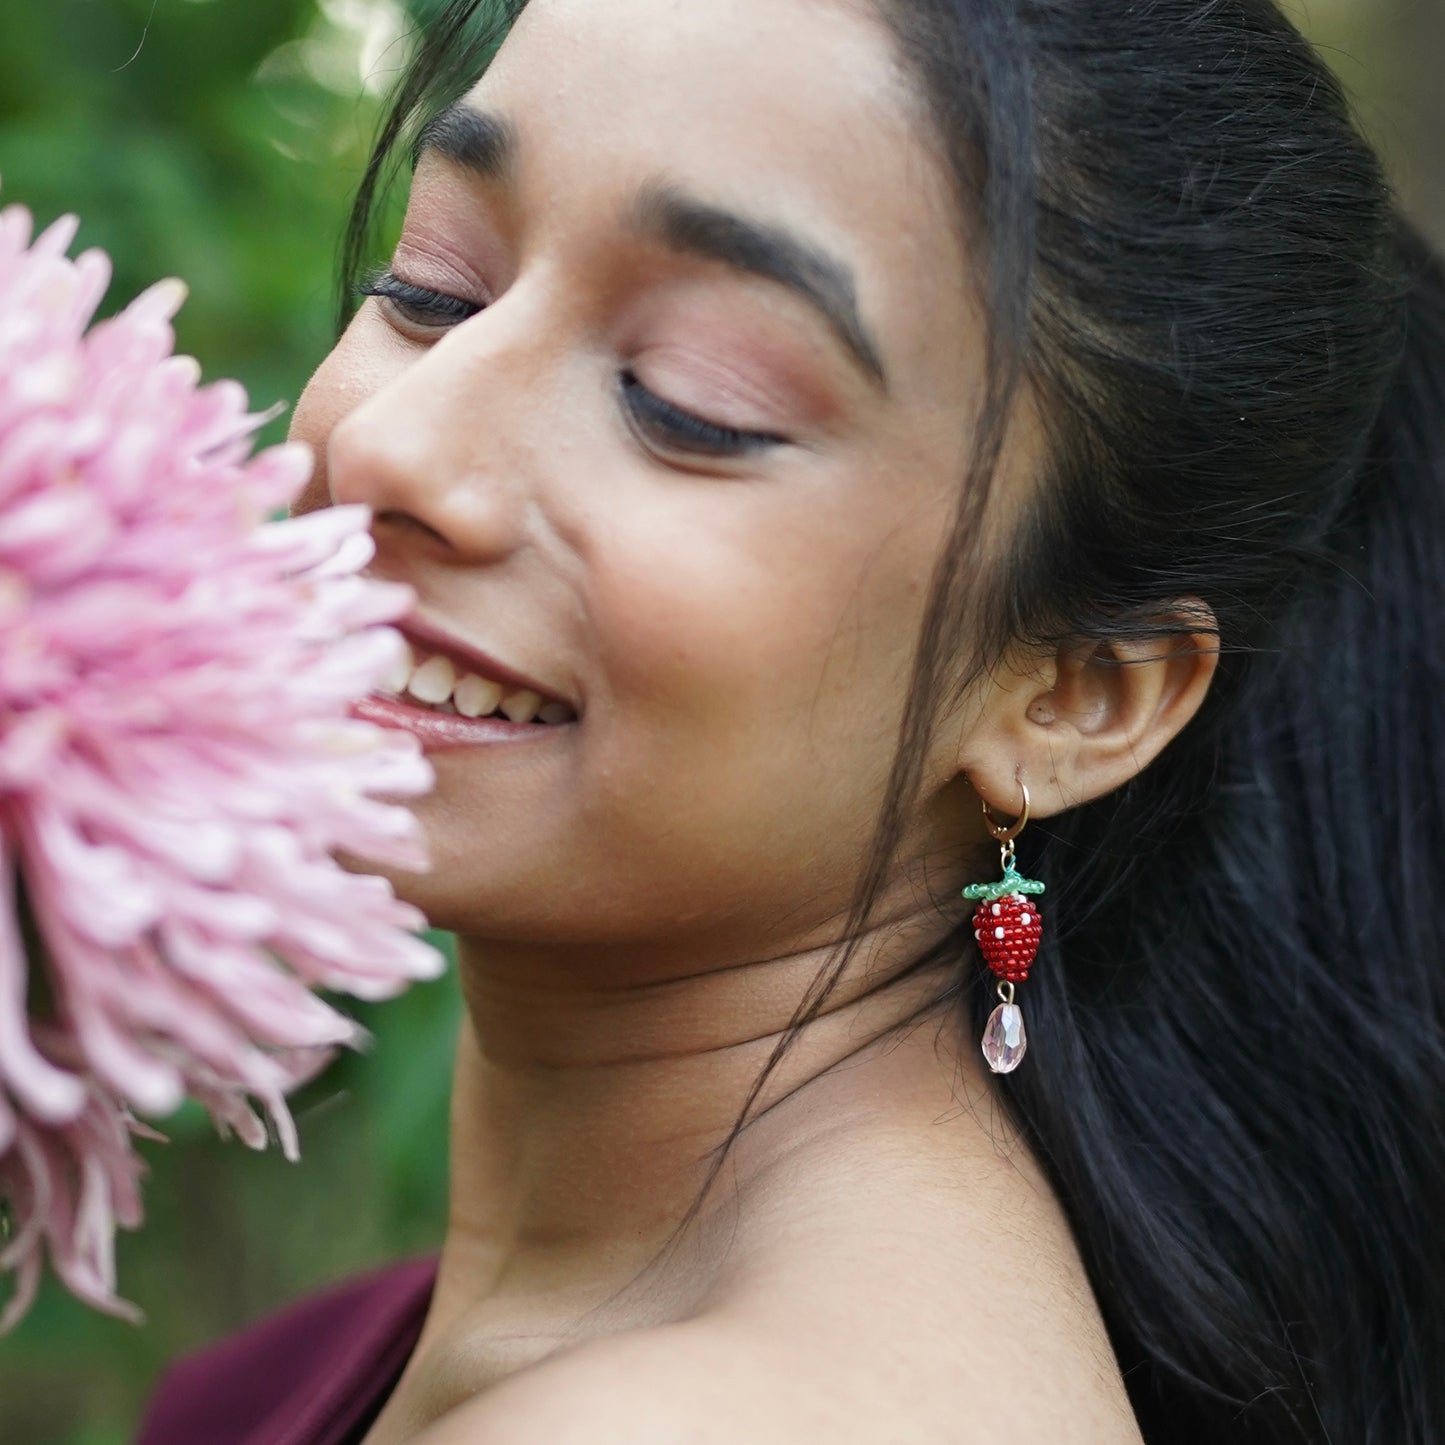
(196,138)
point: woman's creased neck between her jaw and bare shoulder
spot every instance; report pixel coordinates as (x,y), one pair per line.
(592,1092)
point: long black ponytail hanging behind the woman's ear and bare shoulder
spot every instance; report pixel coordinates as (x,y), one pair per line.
(1243,1084)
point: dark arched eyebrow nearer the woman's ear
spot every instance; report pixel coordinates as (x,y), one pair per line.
(764,249)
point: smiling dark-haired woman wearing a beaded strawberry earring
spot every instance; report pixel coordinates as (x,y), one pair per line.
(817,434)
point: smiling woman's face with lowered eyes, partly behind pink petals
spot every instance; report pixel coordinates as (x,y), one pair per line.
(680,444)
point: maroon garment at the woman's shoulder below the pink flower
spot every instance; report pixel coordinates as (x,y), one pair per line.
(310,1375)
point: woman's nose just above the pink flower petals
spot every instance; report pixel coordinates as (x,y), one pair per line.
(437,449)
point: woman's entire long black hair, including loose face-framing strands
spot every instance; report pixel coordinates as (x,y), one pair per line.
(1238,1070)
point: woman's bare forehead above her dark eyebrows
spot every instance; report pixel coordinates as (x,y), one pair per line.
(791,111)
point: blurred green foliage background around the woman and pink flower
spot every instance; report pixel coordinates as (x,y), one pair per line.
(220,141)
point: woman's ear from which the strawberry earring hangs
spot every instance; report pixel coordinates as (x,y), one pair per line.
(1080,723)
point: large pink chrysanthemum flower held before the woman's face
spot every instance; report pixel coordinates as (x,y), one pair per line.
(177,764)
